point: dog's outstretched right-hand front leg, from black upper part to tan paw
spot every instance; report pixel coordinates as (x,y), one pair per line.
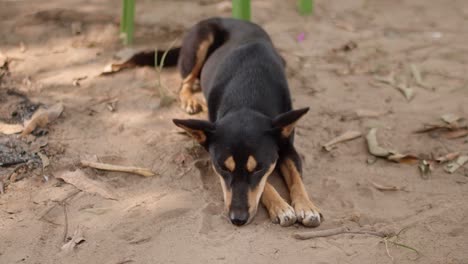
(290,165)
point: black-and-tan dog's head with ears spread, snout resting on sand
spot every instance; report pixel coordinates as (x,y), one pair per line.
(243,146)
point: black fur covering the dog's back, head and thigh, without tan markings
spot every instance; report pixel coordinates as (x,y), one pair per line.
(244,82)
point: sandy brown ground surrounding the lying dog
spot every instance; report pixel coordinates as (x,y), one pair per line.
(176,216)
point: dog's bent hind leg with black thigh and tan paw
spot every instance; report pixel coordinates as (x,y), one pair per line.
(195,50)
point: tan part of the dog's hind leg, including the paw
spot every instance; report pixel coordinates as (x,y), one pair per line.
(188,101)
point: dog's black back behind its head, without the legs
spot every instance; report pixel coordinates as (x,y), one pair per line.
(244,71)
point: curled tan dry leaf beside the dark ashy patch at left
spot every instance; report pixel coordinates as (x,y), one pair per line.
(42,117)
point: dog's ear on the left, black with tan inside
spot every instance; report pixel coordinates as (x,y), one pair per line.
(200,130)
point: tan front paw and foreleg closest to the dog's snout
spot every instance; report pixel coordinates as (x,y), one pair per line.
(279,210)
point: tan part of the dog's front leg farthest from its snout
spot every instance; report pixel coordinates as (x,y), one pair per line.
(306,211)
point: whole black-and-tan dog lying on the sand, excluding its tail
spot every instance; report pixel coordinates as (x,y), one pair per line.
(250,131)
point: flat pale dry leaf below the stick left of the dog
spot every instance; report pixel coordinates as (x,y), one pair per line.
(81,181)
